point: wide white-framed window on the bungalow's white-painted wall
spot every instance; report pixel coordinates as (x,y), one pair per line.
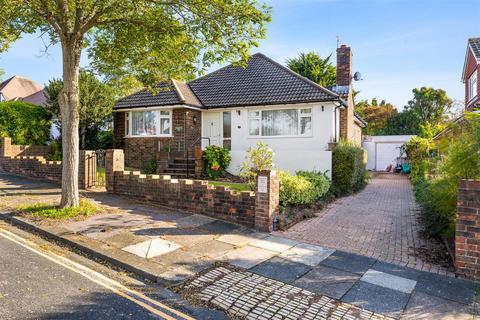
(281,122)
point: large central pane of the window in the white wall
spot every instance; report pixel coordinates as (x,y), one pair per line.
(280,122)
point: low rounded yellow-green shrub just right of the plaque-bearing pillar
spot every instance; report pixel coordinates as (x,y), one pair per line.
(304,188)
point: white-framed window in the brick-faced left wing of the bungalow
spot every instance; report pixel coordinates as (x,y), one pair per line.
(148,123)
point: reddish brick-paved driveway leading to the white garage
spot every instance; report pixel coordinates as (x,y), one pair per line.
(380,222)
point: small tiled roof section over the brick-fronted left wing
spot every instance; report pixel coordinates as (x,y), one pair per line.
(166,93)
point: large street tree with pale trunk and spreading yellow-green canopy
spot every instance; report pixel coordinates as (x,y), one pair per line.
(148,39)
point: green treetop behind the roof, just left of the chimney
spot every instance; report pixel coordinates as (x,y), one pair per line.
(312,66)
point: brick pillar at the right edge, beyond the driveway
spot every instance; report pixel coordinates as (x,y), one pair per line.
(467,234)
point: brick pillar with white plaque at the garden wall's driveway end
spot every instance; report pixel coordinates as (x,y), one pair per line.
(266,200)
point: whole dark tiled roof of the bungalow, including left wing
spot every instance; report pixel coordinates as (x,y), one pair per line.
(262,82)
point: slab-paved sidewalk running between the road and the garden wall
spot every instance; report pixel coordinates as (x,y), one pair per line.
(177,246)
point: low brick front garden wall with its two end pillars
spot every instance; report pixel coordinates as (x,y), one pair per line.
(250,209)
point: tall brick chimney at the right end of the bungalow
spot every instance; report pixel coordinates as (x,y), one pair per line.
(344,78)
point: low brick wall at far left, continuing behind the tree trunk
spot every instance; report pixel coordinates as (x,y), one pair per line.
(37,166)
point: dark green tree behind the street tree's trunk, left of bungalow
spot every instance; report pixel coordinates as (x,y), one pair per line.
(95,107)
